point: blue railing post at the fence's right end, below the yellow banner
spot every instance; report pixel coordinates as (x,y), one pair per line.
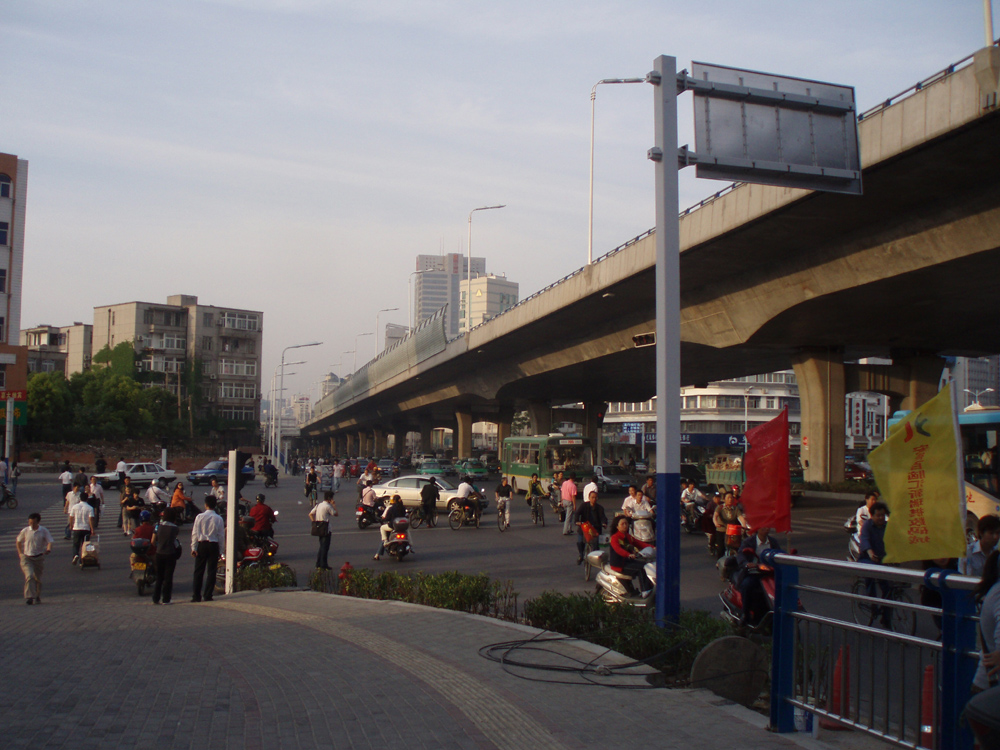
(958,638)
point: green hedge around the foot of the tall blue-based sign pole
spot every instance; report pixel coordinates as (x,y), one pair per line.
(626,629)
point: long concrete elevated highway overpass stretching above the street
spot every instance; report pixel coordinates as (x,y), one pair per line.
(771,278)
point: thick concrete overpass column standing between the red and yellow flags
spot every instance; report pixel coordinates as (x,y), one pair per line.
(820,375)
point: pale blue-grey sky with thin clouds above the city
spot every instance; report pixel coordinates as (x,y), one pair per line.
(294,156)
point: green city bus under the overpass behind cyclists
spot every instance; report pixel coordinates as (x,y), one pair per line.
(544,455)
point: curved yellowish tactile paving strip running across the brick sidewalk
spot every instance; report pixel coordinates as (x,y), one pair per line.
(486,709)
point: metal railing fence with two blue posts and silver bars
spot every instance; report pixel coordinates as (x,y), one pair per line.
(902,688)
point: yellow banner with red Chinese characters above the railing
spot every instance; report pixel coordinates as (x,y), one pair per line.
(917,470)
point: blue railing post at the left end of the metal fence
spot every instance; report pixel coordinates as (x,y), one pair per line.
(786,600)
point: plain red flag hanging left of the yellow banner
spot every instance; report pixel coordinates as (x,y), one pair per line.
(767,494)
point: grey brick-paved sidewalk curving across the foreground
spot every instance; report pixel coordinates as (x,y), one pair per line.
(306,670)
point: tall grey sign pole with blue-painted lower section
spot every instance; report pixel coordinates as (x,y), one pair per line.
(668,334)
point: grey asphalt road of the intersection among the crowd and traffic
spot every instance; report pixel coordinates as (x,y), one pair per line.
(536,559)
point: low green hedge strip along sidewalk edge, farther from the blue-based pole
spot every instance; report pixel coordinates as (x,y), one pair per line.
(475,594)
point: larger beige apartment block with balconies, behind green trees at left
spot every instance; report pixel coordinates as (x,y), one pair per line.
(227,342)
